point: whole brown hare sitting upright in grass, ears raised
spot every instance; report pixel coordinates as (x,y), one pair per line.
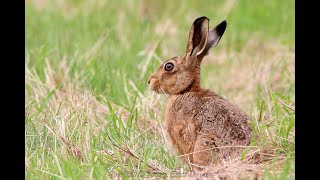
(202,126)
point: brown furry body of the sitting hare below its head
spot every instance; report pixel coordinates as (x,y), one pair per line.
(206,125)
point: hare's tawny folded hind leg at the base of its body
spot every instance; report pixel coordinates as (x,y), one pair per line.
(204,152)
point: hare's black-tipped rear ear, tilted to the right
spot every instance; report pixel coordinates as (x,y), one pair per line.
(214,37)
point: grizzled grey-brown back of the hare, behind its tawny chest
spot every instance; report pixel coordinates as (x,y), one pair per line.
(228,122)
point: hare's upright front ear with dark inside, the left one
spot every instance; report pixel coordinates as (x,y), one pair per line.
(198,36)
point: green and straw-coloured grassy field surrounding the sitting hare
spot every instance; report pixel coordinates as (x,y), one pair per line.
(90,115)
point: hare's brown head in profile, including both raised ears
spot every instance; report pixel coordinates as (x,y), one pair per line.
(181,74)
